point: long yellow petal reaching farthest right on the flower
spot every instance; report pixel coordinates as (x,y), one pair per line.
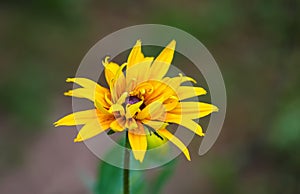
(194,110)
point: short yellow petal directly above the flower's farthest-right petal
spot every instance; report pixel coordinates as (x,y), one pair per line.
(185,92)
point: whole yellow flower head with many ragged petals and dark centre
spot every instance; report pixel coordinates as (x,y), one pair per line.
(138,97)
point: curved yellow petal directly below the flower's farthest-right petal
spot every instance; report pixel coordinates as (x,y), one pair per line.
(185,122)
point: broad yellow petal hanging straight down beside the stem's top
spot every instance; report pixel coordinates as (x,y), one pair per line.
(138,142)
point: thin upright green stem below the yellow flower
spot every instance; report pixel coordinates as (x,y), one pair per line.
(126,167)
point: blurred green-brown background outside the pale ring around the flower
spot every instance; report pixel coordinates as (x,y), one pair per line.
(255,43)
